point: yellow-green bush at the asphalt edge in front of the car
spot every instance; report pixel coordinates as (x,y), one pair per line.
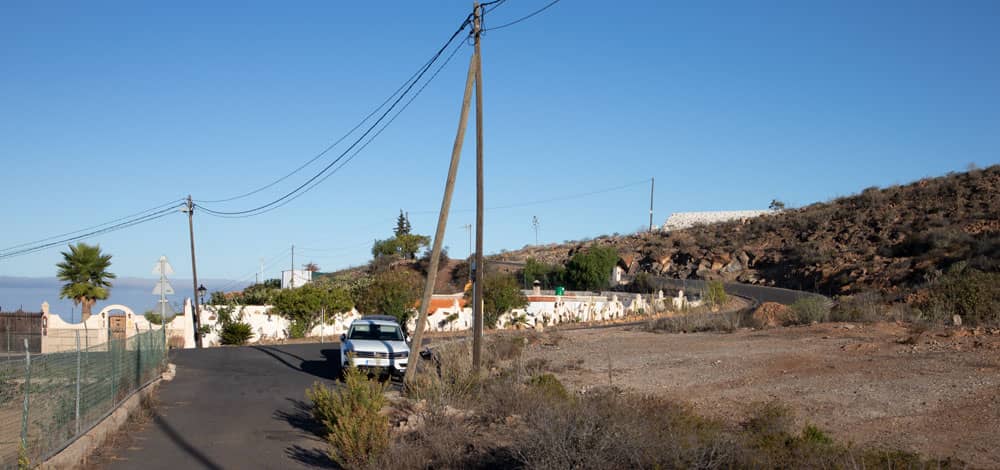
(357,432)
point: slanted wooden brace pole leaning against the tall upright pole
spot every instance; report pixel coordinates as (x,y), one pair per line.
(456,152)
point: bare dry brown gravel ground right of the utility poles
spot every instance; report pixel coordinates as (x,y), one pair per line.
(936,392)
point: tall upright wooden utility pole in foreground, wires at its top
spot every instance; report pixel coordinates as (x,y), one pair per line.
(477,340)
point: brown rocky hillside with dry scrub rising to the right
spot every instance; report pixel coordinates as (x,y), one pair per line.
(888,239)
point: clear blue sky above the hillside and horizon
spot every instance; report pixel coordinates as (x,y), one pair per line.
(109,108)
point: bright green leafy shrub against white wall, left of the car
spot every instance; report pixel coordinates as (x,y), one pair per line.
(303,305)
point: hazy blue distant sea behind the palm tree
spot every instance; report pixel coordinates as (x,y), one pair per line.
(28,293)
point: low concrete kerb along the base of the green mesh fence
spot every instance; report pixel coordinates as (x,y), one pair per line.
(75,455)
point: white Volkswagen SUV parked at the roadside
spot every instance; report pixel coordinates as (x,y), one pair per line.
(376,342)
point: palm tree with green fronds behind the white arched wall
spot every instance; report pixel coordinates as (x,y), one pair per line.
(85,271)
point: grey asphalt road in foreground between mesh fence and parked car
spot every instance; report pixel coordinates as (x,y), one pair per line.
(235,408)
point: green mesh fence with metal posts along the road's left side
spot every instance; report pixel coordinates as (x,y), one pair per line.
(47,400)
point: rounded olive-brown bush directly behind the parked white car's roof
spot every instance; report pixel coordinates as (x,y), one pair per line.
(394,292)
